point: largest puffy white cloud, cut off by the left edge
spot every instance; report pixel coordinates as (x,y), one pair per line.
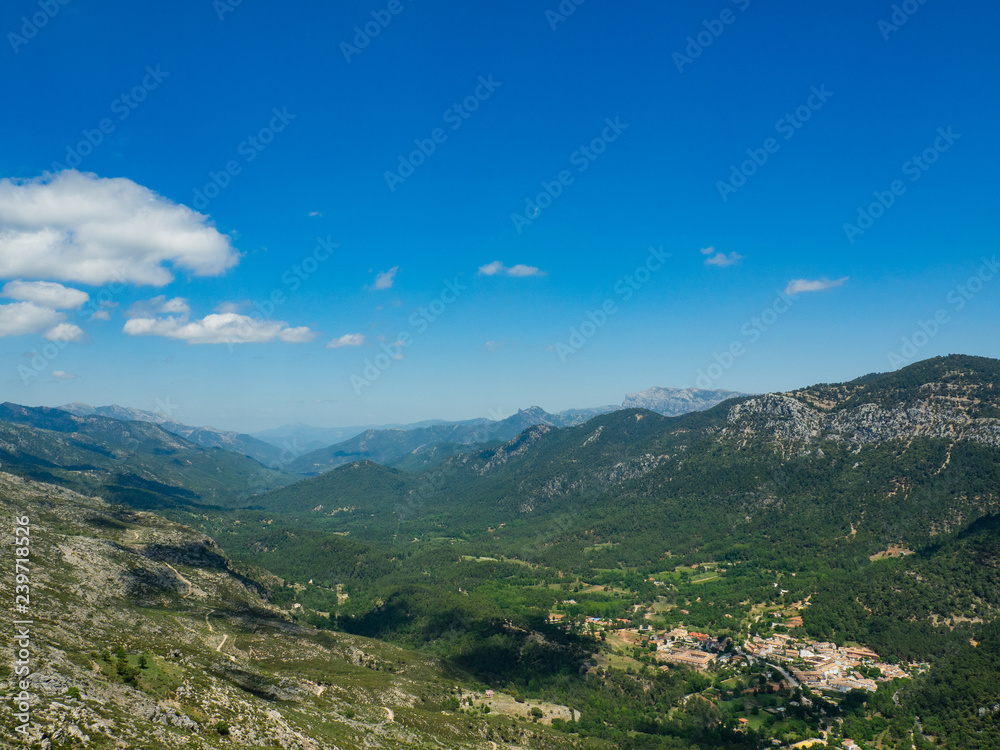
(75,226)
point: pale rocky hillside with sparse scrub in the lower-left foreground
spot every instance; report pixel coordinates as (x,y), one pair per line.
(145,635)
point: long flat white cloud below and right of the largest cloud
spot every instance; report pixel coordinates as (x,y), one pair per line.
(218,328)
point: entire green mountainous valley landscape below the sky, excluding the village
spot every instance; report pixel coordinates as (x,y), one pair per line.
(380,603)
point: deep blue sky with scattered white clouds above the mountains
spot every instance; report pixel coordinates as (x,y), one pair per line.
(428,154)
